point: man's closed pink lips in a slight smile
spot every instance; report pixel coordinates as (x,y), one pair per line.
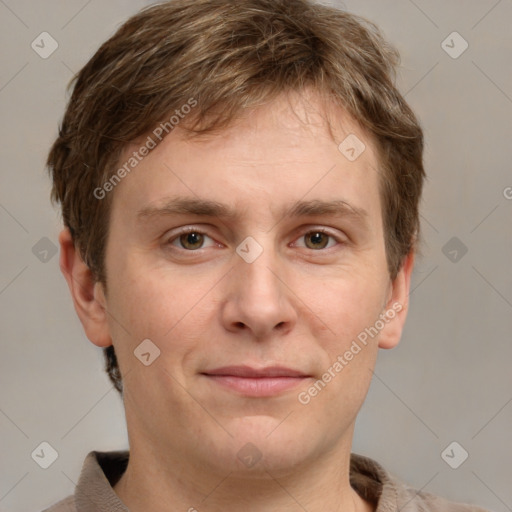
(254,382)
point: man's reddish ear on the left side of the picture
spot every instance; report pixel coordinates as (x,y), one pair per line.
(88,296)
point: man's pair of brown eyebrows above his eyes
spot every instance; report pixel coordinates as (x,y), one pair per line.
(209,208)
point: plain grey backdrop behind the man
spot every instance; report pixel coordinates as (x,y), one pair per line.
(449,379)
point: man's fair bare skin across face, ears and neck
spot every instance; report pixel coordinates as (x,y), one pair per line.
(298,305)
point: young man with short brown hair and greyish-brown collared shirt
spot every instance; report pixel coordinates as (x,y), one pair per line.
(239,184)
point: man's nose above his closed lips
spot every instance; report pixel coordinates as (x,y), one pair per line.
(258,299)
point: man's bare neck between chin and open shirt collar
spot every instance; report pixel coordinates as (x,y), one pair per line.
(161,483)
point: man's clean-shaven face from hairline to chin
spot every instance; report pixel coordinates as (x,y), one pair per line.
(252,260)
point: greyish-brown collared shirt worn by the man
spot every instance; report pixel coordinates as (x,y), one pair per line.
(102,470)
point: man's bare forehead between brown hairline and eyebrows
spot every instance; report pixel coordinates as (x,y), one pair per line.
(296,147)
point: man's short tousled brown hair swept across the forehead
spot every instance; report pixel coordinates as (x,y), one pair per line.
(230,56)
